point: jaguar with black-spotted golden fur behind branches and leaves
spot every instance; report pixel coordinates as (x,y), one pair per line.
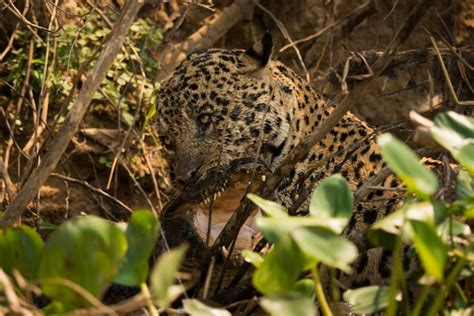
(220,107)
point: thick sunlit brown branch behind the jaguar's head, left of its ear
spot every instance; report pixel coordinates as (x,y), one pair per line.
(204,37)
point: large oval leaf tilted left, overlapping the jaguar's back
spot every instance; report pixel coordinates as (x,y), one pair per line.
(407,166)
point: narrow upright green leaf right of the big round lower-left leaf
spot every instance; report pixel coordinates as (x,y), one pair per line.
(142,234)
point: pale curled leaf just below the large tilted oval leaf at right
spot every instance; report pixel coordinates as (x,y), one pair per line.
(385,231)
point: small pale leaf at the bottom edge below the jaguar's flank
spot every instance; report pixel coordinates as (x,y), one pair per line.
(367,300)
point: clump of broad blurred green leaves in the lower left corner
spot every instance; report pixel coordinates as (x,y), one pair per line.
(84,255)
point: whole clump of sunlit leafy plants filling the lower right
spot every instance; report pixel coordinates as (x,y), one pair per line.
(435,229)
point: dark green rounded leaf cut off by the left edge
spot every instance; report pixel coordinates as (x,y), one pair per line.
(20,248)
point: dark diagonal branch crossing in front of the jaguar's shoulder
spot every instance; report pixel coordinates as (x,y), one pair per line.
(245,208)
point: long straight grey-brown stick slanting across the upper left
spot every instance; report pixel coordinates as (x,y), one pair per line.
(74,118)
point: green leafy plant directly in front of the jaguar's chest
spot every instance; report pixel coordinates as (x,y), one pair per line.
(300,245)
